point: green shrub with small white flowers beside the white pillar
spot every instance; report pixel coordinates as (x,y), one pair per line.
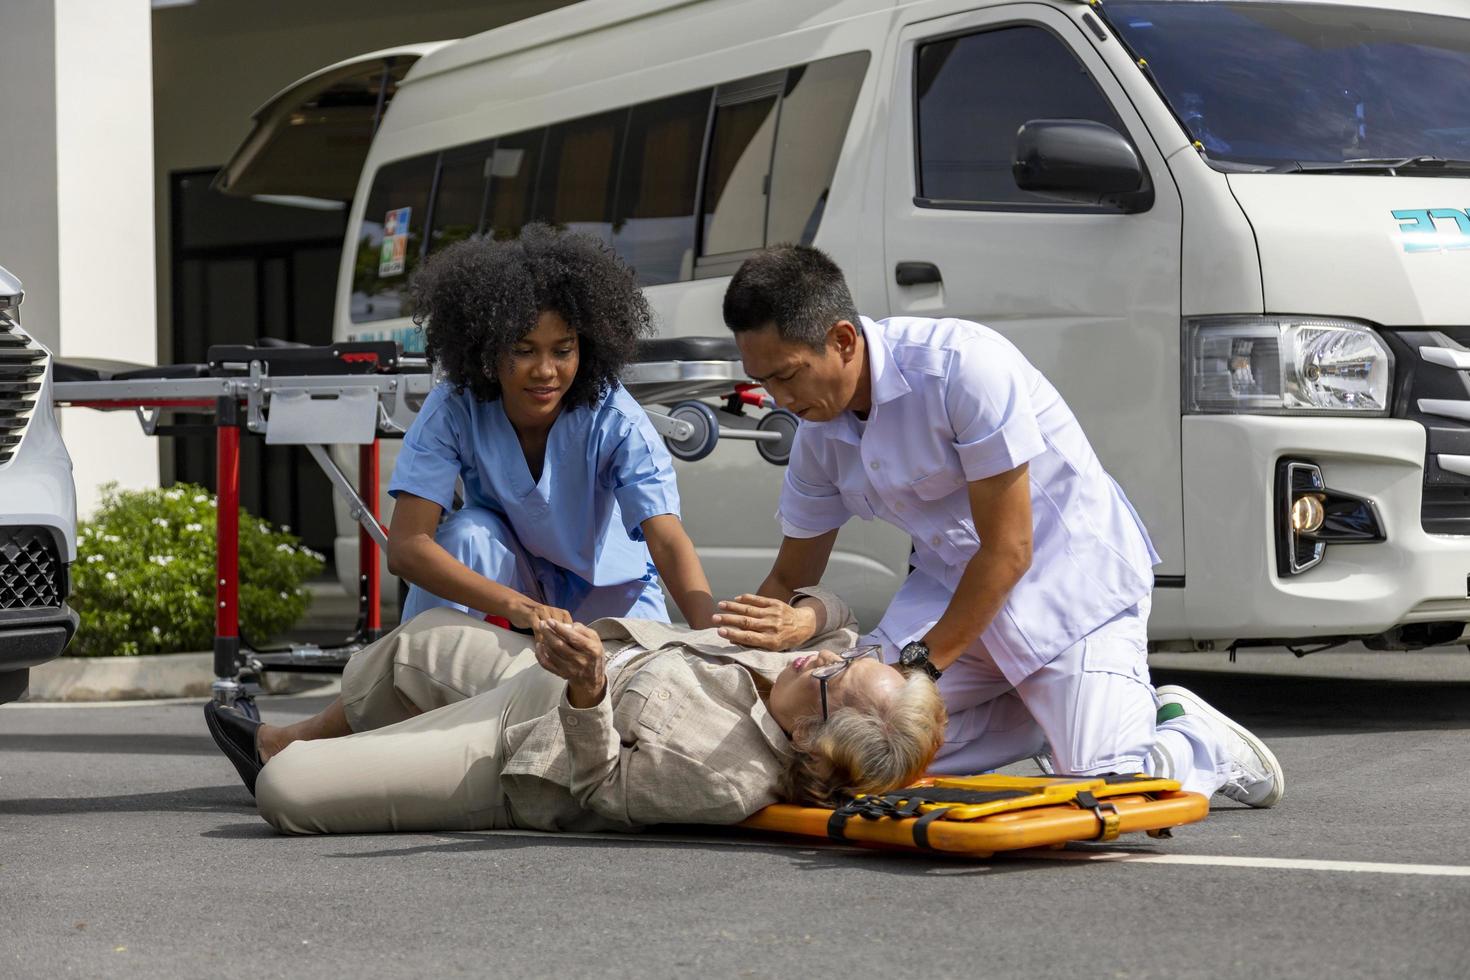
(145,575)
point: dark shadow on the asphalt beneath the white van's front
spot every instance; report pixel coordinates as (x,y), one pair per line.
(1275,705)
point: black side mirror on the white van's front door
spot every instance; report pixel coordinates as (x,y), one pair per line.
(1081,161)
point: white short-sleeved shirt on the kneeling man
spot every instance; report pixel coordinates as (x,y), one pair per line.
(953,403)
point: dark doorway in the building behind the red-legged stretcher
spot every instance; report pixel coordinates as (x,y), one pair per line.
(245,270)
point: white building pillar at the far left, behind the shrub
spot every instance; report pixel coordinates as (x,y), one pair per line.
(77,205)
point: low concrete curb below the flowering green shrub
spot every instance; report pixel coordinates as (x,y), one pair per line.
(145,678)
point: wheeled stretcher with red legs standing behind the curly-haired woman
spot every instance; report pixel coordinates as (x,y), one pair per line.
(356,394)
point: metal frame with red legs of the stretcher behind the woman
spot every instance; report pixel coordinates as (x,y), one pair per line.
(345,409)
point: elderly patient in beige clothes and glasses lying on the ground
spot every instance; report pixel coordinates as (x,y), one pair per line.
(451,724)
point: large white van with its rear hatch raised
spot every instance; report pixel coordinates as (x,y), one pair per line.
(1234,233)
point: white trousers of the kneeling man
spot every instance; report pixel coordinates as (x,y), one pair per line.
(1091,712)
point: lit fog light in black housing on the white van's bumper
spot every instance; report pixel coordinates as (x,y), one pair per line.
(1312,516)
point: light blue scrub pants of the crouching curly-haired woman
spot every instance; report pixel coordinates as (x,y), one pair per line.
(483,541)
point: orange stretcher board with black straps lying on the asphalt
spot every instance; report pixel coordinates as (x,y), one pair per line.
(977,816)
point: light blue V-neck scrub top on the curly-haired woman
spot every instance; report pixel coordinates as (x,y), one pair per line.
(606,472)
